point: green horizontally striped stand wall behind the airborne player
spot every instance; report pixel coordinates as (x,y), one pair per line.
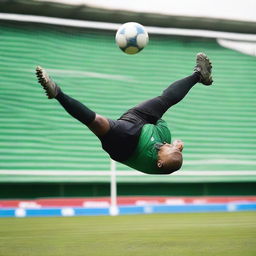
(217,123)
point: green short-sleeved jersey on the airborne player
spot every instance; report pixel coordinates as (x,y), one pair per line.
(144,158)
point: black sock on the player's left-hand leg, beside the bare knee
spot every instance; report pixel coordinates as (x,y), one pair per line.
(76,109)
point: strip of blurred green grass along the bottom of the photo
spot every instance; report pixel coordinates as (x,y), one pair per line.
(167,234)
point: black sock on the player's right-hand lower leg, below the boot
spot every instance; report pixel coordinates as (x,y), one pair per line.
(178,90)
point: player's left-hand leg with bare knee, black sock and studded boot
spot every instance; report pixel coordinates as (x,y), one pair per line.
(99,125)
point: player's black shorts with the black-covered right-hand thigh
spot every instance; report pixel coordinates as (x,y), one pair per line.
(121,140)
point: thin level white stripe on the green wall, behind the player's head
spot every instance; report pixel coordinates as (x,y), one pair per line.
(120,173)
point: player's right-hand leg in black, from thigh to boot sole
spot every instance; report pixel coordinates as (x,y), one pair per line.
(153,109)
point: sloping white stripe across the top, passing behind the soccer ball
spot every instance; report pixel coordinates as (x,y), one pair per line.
(115,26)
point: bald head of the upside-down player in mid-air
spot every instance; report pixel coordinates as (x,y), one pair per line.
(170,156)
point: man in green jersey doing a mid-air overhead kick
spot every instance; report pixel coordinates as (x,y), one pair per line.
(139,138)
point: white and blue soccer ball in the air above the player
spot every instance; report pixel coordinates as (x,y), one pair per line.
(131,37)
